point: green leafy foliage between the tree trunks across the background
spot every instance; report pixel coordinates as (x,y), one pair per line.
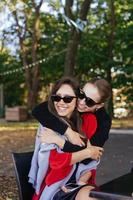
(93,54)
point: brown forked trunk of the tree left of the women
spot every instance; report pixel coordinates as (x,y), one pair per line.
(31,75)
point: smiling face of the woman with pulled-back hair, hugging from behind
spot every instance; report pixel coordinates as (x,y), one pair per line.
(91,91)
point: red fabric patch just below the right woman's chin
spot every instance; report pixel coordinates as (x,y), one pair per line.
(89,124)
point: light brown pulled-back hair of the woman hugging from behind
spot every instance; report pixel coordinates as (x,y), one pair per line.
(103,87)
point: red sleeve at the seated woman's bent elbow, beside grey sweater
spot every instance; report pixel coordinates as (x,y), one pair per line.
(59,165)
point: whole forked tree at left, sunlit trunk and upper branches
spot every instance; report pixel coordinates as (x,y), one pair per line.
(26,15)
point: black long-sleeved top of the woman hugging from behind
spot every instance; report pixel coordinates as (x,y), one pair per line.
(47,119)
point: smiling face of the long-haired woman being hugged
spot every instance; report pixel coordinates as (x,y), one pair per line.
(65,109)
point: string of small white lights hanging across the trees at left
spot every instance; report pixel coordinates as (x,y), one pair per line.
(30,65)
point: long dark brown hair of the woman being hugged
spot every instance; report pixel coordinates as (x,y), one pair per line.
(74,121)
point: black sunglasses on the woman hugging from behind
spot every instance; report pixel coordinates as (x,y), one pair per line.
(89,102)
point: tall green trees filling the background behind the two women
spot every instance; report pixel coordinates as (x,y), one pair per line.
(105,45)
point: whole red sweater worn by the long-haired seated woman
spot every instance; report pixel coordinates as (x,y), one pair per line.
(60,162)
